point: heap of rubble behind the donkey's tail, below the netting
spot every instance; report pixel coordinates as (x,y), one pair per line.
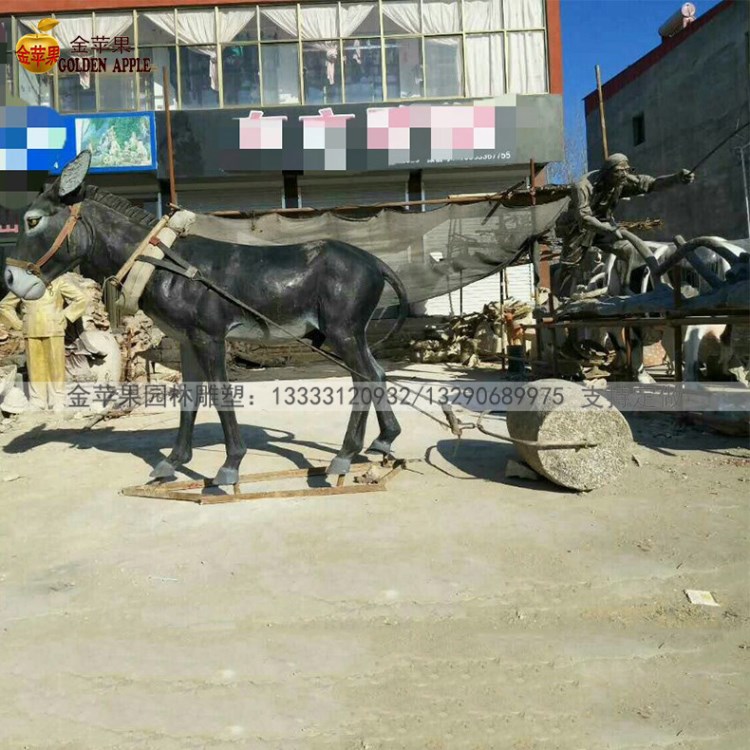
(469,339)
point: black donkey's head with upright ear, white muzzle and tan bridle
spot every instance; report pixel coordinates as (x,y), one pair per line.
(51,241)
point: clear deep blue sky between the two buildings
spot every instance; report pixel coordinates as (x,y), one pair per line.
(610,33)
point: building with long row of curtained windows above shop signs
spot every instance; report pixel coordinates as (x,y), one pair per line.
(304,104)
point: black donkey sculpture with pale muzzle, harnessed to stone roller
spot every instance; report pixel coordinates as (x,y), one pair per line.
(324,291)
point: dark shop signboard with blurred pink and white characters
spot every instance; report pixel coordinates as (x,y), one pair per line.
(363,137)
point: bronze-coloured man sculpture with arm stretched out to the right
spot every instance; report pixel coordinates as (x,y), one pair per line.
(589,222)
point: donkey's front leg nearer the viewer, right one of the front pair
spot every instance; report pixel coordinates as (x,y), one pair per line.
(211,354)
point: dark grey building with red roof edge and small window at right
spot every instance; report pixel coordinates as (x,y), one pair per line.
(670,109)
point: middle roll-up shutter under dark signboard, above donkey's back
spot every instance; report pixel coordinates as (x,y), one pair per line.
(330,191)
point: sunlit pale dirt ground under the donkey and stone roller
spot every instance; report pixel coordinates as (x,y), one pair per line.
(458,609)
